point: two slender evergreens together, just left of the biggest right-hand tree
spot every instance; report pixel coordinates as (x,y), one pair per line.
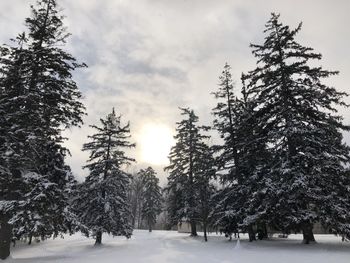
(237,159)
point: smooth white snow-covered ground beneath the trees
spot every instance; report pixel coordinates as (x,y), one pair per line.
(170,246)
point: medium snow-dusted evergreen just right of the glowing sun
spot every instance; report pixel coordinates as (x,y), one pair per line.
(185,169)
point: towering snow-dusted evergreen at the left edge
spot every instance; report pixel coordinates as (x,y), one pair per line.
(38,98)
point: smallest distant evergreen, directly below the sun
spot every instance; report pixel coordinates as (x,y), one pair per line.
(151,195)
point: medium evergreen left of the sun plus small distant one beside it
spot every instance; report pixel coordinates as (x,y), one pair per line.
(104,202)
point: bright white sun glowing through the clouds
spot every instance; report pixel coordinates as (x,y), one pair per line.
(155,143)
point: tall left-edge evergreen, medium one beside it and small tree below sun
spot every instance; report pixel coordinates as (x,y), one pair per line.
(39,196)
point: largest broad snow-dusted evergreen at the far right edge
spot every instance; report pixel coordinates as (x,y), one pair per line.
(296,112)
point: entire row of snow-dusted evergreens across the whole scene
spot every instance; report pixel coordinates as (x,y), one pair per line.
(281,165)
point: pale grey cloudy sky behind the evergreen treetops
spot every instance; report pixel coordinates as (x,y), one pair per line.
(146,58)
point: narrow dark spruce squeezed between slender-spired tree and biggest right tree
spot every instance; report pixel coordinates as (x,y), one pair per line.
(256,161)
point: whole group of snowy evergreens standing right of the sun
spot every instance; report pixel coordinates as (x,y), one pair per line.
(282,162)
